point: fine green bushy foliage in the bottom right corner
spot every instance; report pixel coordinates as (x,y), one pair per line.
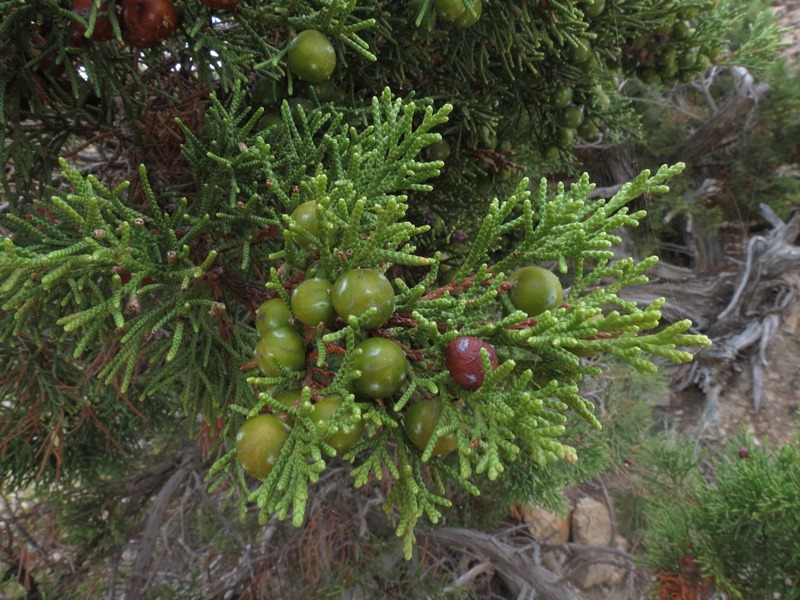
(738,525)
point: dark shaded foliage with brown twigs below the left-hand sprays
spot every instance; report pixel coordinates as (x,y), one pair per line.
(58,423)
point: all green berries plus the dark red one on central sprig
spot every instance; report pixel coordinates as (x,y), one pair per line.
(382,363)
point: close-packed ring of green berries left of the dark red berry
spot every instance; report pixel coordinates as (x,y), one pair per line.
(318,302)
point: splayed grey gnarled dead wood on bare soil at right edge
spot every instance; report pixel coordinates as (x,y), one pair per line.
(740,308)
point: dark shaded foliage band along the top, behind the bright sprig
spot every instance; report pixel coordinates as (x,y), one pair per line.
(498,74)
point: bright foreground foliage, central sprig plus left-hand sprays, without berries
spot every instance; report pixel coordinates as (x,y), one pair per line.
(143,284)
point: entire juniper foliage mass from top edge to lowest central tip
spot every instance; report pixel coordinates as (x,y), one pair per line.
(130,294)
